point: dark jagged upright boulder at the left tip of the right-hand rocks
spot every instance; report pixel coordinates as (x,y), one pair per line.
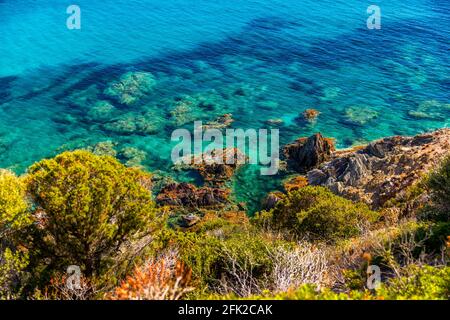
(307,153)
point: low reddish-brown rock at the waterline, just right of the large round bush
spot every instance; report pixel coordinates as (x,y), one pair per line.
(189,196)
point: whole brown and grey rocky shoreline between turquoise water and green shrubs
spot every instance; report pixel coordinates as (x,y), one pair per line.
(375,173)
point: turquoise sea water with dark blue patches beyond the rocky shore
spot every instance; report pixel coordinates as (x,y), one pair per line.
(256,59)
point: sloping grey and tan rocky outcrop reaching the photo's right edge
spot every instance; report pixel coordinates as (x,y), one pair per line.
(383,169)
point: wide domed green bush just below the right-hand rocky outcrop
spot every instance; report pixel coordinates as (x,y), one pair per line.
(318,213)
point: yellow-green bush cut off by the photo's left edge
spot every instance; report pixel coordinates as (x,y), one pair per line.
(14,217)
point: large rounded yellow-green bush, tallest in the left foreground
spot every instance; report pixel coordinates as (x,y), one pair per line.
(87,207)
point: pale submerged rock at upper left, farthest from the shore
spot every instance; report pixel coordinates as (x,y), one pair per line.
(131,87)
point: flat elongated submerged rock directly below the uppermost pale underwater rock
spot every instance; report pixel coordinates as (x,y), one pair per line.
(131,123)
